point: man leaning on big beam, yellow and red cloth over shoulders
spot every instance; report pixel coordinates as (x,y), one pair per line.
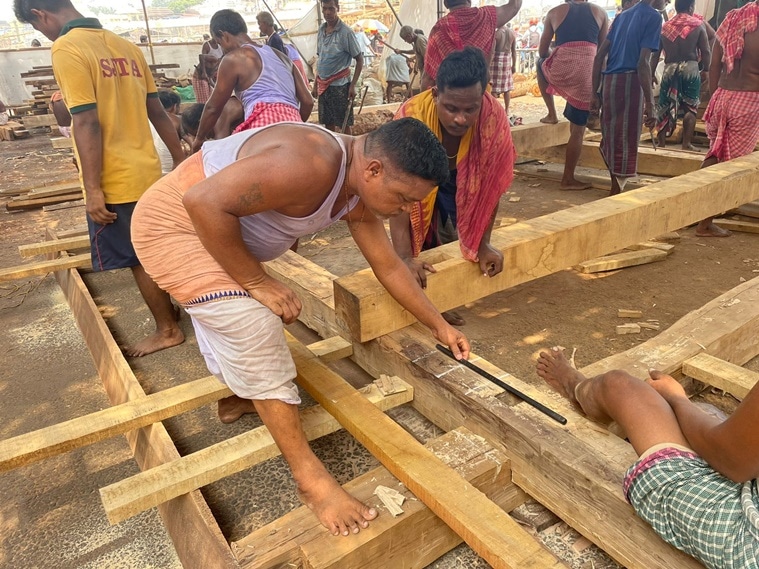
(475,133)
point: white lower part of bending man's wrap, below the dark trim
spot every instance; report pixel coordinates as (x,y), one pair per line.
(243,343)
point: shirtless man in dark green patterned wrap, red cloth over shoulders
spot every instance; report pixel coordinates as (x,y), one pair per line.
(685,42)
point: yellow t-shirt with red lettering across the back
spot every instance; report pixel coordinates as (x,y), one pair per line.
(96,69)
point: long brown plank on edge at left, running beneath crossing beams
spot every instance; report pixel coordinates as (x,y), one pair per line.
(188,520)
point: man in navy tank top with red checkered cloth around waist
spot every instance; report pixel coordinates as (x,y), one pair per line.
(579,28)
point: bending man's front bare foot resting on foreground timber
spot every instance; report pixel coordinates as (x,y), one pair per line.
(337,510)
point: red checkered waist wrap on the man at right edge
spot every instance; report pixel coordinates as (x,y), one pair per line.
(732,123)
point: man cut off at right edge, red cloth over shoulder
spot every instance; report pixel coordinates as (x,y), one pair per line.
(732,120)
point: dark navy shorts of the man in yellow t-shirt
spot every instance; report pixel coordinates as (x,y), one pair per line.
(111,245)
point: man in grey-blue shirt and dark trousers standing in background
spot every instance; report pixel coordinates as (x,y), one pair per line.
(336,49)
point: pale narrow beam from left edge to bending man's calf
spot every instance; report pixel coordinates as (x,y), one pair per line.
(117,420)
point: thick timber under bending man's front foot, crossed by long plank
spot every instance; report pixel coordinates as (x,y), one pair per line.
(414,539)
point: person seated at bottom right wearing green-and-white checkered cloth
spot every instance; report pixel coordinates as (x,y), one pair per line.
(694,481)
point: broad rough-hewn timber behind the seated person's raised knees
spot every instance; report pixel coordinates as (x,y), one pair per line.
(726,328)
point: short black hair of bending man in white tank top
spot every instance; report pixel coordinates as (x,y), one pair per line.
(408,145)
